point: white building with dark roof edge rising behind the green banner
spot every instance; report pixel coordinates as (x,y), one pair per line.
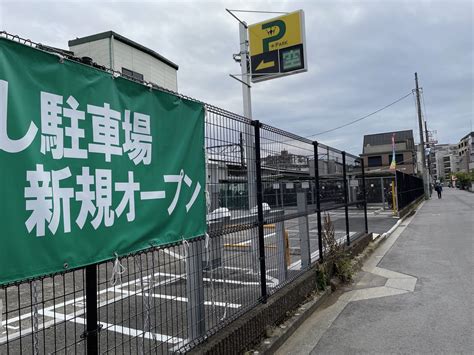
(128,57)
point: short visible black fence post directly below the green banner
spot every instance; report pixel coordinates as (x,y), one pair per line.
(92,327)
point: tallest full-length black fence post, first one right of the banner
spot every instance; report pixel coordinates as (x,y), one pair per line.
(261,234)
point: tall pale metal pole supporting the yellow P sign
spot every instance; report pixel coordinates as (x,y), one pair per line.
(249,138)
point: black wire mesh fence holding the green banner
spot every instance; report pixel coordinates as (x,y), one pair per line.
(266,191)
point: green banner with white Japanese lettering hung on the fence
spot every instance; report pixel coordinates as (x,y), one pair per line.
(91,165)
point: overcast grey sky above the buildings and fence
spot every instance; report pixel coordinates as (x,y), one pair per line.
(362,55)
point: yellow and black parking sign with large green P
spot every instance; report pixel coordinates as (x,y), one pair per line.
(277,47)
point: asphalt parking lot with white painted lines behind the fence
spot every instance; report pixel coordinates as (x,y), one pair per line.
(148,305)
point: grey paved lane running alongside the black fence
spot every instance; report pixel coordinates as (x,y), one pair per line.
(414,295)
